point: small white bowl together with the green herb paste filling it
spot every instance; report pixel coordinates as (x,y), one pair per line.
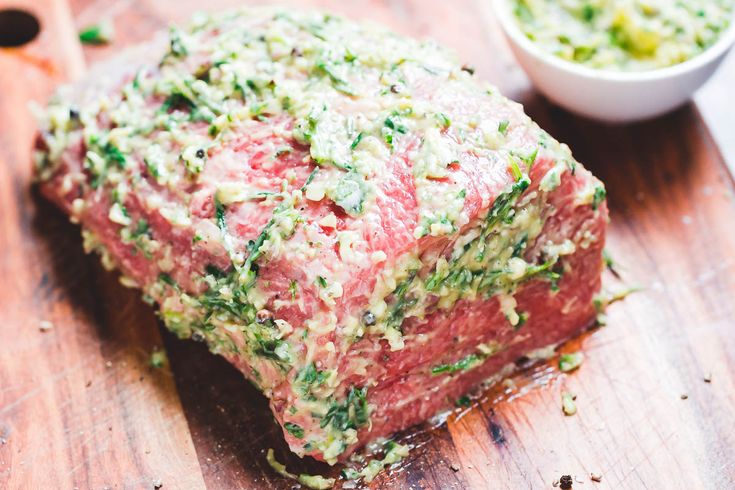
(618,60)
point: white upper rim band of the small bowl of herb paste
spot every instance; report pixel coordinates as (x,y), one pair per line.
(513,31)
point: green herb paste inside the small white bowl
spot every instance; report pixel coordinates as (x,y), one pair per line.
(624,35)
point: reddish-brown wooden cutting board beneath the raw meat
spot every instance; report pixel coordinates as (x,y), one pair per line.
(80,407)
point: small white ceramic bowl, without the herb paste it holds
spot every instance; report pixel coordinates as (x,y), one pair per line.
(610,95)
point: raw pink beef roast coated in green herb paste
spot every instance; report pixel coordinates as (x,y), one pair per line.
(354,220)
